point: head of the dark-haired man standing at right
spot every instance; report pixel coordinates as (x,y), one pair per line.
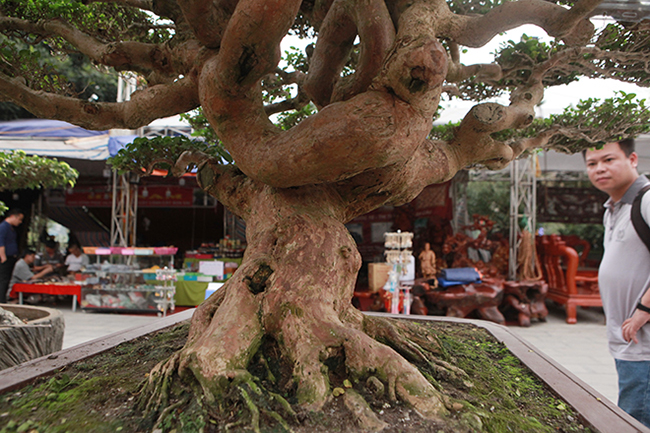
(610,170)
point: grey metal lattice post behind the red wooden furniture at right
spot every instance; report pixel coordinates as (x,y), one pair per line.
(523,205)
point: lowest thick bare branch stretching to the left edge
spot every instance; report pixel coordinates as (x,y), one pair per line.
(144,107)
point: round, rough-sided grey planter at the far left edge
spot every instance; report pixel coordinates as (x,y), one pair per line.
(41,335)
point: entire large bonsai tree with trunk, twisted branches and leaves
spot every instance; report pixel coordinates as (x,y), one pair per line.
(374,77)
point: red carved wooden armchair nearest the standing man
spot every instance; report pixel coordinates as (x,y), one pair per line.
(566,284)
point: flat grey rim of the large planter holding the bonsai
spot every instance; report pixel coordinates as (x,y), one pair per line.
(595,410)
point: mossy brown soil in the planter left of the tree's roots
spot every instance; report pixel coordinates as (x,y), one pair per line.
(68,400)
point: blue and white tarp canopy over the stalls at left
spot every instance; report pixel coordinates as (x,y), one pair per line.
(59,139)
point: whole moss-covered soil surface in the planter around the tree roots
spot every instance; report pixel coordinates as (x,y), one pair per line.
(498,394)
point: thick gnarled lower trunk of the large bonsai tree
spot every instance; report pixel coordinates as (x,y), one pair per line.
(295,287)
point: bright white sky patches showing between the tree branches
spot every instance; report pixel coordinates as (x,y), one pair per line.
(555,98)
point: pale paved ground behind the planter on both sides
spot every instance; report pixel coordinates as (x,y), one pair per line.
(580,348)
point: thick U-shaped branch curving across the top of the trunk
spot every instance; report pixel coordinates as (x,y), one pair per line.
(351,136)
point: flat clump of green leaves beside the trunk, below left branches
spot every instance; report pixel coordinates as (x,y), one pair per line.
(162,152)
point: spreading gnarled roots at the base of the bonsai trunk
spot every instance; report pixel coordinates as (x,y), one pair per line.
(378,358)
